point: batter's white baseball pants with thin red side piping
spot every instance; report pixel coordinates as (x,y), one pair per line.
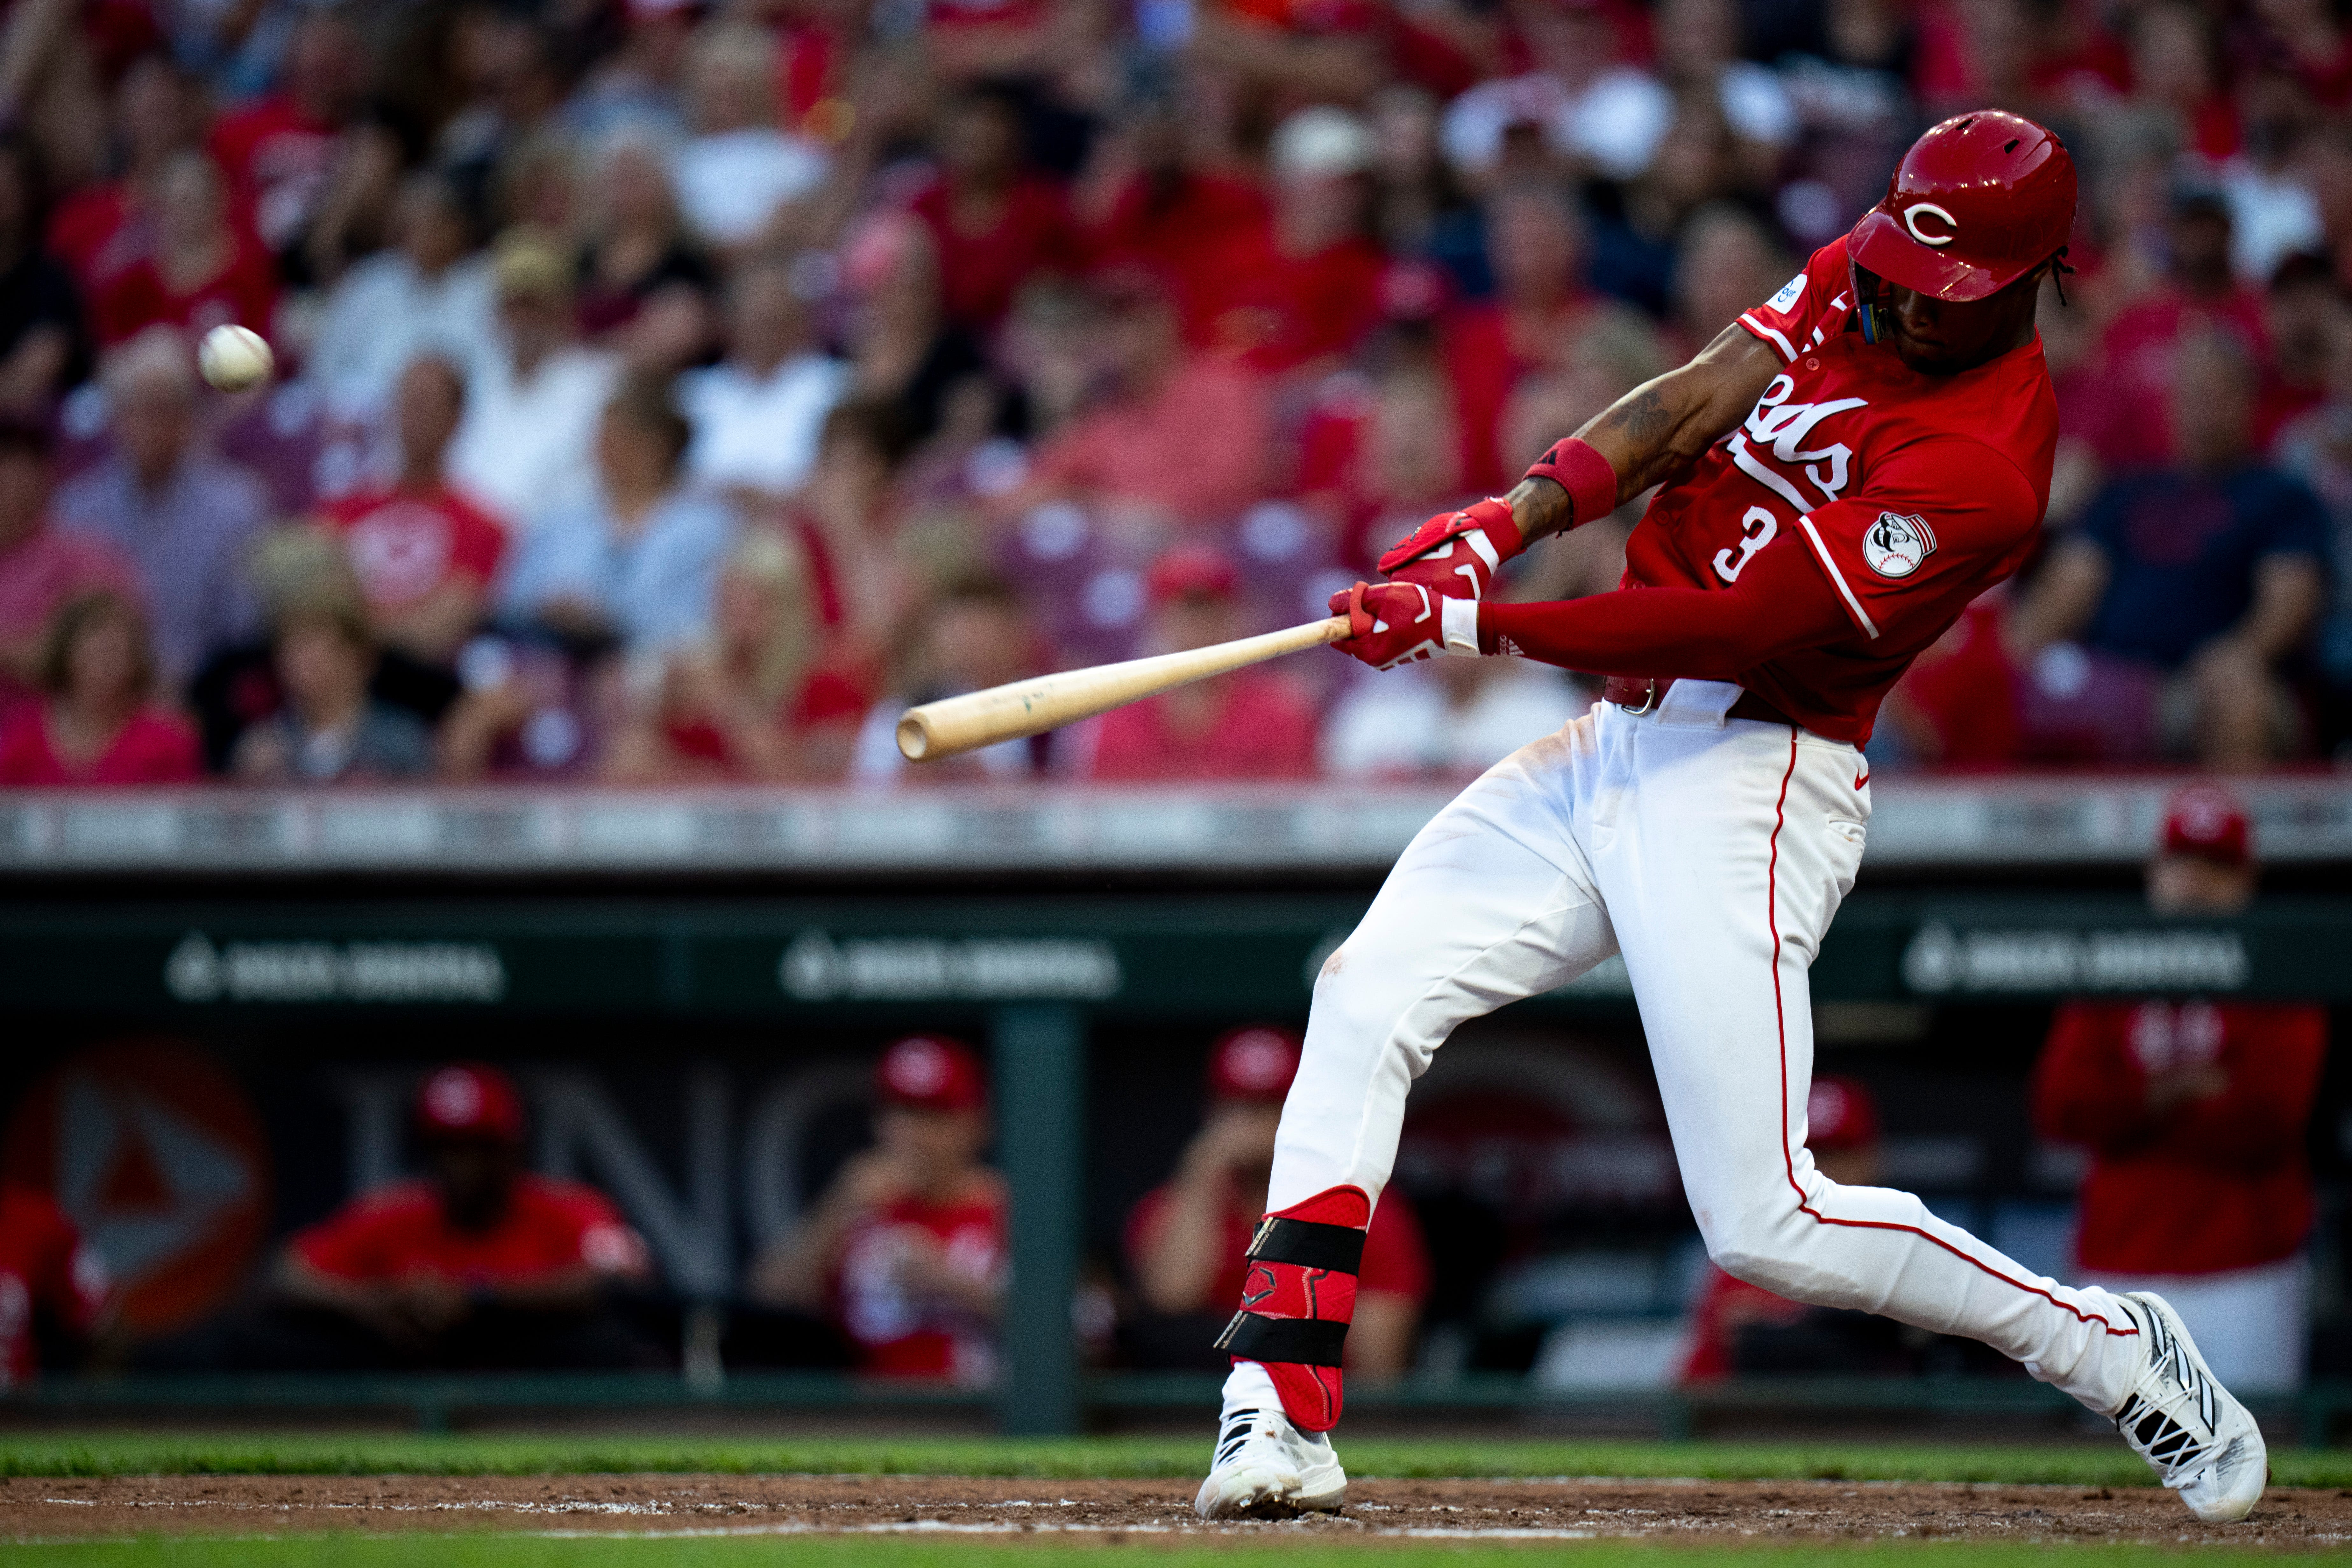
(1713,857)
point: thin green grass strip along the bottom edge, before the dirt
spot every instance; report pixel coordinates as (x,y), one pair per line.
(902,1553)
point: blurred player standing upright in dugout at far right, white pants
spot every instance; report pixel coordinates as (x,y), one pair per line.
(2196,1115)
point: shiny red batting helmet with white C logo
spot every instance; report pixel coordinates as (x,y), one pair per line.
(1975,206)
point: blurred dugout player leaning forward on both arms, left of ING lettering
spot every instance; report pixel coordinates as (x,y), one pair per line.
(481,1264)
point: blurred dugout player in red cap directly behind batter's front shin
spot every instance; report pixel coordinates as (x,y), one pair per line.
(1187,1240)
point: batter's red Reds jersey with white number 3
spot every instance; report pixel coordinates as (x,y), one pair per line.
(1911,492)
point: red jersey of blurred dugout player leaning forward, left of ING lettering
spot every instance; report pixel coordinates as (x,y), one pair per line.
(401,1231)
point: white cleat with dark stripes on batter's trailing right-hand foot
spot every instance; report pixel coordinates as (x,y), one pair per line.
(2189,1428)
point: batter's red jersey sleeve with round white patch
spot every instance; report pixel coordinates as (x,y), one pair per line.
(1937,518)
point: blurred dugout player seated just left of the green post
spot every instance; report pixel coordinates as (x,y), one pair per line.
(909,1249)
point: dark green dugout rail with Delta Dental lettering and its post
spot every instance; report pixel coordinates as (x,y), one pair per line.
(1031,974)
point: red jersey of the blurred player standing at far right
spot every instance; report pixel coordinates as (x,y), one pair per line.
(2214,1181)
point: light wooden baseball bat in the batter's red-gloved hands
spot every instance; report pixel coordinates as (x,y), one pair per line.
(1048,702)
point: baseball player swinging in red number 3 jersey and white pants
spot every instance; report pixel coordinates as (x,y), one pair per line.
(1843,471)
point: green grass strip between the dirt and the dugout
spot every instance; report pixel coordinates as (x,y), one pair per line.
(133,1454)
